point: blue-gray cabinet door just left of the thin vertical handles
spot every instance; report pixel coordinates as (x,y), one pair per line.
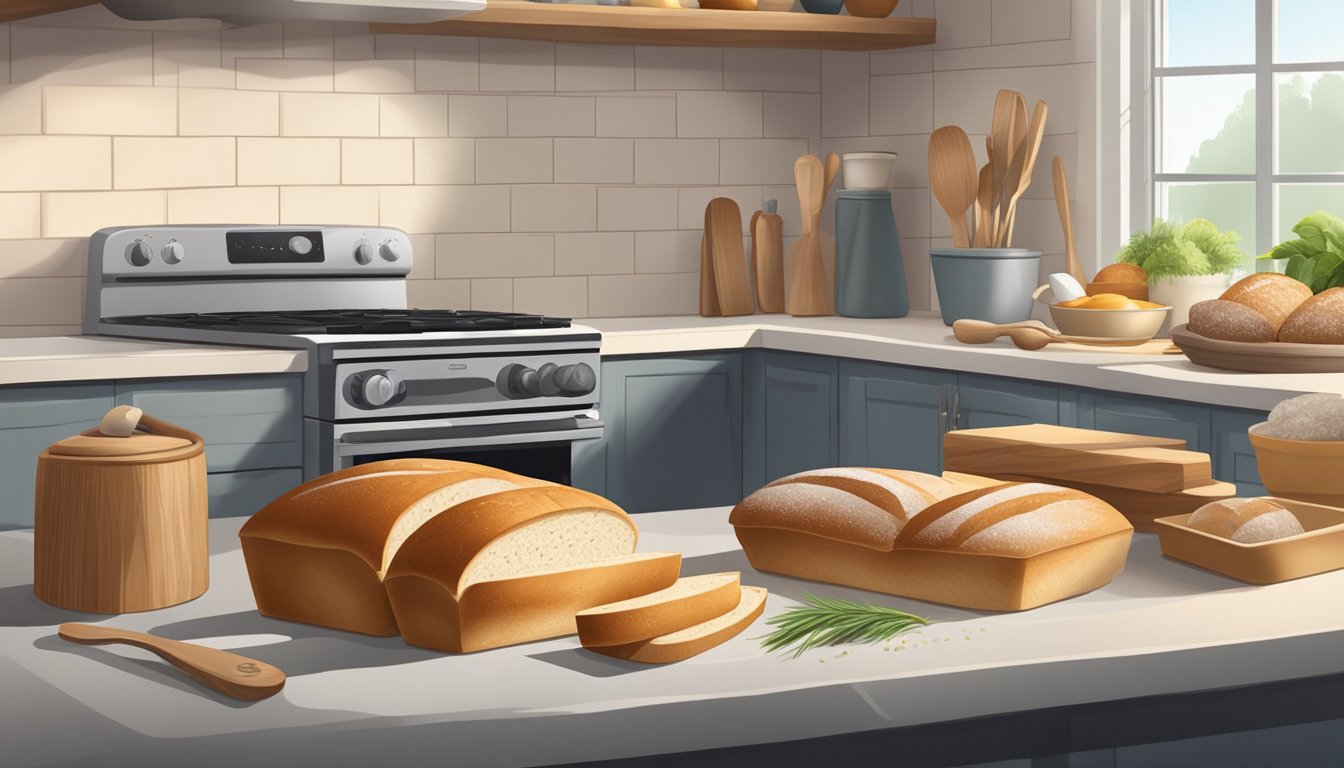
(893,416)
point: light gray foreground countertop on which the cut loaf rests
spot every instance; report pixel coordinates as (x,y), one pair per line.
(1161,629)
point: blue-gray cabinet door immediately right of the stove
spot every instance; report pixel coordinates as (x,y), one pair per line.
(674,431)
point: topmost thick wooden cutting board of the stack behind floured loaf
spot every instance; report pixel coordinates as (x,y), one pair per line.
(1161,470)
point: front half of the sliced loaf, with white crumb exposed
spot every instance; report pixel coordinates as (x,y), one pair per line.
(517,567)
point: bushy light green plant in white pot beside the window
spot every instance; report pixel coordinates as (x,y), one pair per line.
(1186,264)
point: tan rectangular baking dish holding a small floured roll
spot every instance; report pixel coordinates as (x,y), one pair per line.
(1318,551)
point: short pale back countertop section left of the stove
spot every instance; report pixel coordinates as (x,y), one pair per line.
(99,358)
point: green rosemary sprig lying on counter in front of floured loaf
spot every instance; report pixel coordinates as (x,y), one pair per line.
(827,622)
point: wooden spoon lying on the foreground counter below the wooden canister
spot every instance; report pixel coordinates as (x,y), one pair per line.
(229,675)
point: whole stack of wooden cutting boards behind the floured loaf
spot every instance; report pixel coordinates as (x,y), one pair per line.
(1143,477)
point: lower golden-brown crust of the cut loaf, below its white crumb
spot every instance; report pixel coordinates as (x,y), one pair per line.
(521,609)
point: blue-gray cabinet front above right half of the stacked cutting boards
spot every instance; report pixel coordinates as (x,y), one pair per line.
(1135,415)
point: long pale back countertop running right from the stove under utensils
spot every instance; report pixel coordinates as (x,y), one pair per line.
(924,341)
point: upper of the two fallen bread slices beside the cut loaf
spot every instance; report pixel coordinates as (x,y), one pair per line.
(690,602)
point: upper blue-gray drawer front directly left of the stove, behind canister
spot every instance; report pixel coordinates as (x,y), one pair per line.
(248,423)
